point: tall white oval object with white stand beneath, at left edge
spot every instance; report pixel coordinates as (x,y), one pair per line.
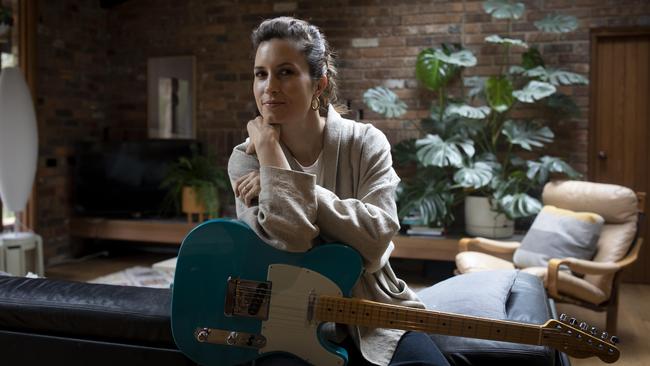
(18,158)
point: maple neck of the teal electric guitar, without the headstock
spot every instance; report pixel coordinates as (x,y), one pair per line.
(379,315)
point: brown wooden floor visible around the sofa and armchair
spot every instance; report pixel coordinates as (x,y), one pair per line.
(634,311)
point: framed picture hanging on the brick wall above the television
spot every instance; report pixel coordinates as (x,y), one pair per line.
(171,97)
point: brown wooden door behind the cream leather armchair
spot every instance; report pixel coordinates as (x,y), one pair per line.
(619,130)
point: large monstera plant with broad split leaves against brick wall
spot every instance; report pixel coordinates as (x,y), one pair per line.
(469,144)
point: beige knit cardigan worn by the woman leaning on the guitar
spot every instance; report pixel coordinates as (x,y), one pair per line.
(351,202)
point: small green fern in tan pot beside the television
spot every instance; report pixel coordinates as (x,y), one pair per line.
(195,185)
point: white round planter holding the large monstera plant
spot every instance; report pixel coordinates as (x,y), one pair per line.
(481,220)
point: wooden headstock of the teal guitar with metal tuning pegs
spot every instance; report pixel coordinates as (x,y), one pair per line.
(578,340)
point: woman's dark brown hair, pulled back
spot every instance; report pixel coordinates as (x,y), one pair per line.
(311,42)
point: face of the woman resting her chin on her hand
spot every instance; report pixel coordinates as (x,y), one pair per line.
(283,87)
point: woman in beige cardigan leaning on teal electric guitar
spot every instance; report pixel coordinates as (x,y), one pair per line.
(302,179)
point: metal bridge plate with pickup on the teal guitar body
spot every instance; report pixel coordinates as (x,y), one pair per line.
(249,299)
